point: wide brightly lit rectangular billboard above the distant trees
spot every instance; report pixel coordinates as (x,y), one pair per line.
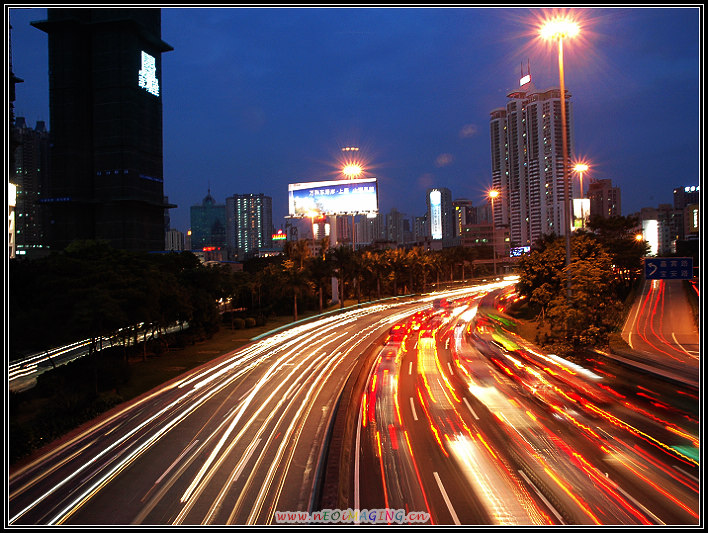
(336,197)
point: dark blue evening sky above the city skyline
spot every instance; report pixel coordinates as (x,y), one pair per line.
(254,99)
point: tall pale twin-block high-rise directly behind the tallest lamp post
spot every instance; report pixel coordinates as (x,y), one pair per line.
(527,162)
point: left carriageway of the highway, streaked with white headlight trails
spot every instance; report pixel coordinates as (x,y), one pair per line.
(229,443)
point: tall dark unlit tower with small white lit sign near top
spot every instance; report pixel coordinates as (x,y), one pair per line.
(105,106)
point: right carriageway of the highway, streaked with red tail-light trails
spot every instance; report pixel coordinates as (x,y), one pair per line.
(465,421)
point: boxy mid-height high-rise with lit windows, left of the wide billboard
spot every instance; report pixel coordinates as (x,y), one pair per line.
(249,223)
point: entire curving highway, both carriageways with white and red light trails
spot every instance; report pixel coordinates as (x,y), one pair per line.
(457,421)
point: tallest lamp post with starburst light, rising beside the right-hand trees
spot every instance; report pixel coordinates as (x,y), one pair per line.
(560,29)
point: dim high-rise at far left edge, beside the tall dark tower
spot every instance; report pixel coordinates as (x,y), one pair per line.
(31,160)
